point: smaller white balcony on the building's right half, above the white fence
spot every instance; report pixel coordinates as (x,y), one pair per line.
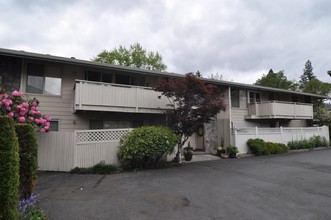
(279,110)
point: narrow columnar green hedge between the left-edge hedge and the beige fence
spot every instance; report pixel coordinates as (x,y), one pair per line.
(28,157)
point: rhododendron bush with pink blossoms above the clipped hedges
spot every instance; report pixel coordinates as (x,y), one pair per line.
(23,110)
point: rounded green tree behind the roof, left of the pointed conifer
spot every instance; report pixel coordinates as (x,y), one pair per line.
(276,80)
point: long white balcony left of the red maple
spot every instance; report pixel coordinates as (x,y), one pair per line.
(97,96)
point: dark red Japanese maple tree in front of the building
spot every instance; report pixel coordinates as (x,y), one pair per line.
(194,103)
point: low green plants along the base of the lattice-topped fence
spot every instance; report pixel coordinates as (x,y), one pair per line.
(97,169)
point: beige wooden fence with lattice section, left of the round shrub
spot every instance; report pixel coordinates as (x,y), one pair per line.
(63,151)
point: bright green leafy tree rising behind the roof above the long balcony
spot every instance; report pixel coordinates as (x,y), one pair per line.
(135,56)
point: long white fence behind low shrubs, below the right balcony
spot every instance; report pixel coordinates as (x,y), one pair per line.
(240,136)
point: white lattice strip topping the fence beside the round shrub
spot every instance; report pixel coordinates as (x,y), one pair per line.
(100,136)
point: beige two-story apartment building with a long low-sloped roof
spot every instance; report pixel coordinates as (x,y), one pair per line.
(86,95)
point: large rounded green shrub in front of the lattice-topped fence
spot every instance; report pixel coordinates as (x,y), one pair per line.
(145,146)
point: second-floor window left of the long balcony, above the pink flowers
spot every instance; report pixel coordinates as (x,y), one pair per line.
(40,81)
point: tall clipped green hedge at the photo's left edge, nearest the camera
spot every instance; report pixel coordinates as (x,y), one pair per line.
(9,170)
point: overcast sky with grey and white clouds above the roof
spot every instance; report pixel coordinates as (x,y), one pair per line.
(240,39)
